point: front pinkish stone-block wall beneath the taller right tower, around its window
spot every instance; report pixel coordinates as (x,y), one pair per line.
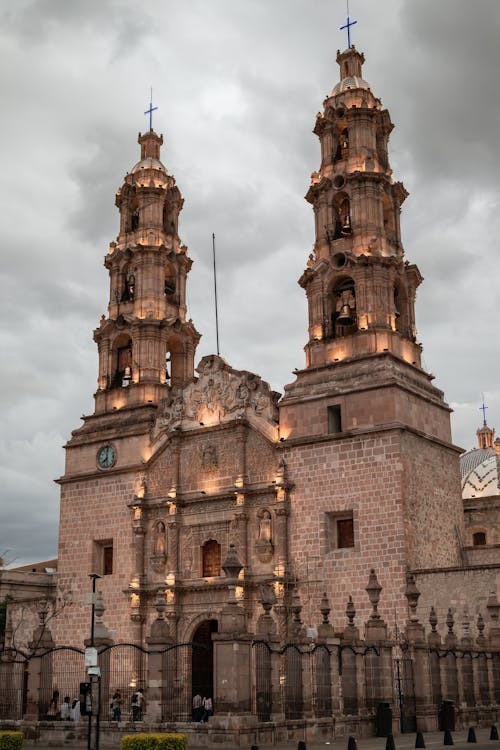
(362,475)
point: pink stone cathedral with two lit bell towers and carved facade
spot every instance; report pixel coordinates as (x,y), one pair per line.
(209,504)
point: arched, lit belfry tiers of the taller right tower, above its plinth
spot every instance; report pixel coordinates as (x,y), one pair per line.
(360,290)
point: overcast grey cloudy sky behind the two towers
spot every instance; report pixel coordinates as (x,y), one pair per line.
(238,84)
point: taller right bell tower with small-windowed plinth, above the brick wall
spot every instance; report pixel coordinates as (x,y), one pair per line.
(360,289)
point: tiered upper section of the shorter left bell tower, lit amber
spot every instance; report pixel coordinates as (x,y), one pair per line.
(145,343)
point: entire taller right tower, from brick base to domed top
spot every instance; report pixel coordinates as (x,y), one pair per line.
(365,433)
